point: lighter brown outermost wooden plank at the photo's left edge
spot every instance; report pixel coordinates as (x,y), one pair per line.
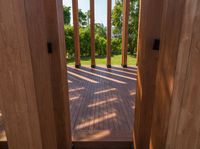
(18,100)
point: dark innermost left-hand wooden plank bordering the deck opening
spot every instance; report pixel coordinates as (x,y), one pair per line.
(57,63)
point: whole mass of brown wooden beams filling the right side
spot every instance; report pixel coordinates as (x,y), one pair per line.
(167,100)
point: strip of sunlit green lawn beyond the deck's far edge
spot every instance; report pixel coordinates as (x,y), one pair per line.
(115,60)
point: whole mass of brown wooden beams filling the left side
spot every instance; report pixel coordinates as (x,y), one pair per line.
(27,84)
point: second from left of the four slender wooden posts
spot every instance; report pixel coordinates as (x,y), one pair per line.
(92,32)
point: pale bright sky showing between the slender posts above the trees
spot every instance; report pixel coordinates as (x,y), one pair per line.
(100,9)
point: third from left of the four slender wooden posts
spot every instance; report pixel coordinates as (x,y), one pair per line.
(108,47)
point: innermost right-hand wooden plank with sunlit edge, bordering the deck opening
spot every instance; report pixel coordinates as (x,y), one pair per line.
(149,29)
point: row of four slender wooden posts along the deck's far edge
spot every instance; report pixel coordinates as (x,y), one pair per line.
(126,4)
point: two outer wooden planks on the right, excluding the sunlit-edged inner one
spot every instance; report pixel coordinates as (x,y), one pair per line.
(175,123)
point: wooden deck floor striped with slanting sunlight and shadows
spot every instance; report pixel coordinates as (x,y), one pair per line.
(102,103)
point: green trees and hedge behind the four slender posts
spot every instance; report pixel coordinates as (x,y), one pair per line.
(100,31)
